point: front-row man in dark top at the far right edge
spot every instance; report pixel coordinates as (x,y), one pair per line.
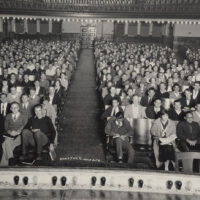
(188,133)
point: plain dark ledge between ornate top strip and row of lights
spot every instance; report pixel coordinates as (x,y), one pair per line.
(171,14)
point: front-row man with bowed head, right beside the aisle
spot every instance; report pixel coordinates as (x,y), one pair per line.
(119,128)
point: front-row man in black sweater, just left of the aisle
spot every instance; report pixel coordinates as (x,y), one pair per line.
(38,132)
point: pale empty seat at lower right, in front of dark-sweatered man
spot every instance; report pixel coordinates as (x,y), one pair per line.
(187,159)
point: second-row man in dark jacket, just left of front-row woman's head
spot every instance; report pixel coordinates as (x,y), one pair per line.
(153,112)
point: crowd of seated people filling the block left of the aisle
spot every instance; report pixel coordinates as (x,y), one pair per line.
(34,79)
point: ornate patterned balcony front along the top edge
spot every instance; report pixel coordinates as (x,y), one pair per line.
(146,6)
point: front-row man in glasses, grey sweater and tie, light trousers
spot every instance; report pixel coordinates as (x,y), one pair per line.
(14,124)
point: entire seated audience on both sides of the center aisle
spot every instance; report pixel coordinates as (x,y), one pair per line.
(139,84)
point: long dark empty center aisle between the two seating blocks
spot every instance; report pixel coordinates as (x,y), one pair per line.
(81,135)
